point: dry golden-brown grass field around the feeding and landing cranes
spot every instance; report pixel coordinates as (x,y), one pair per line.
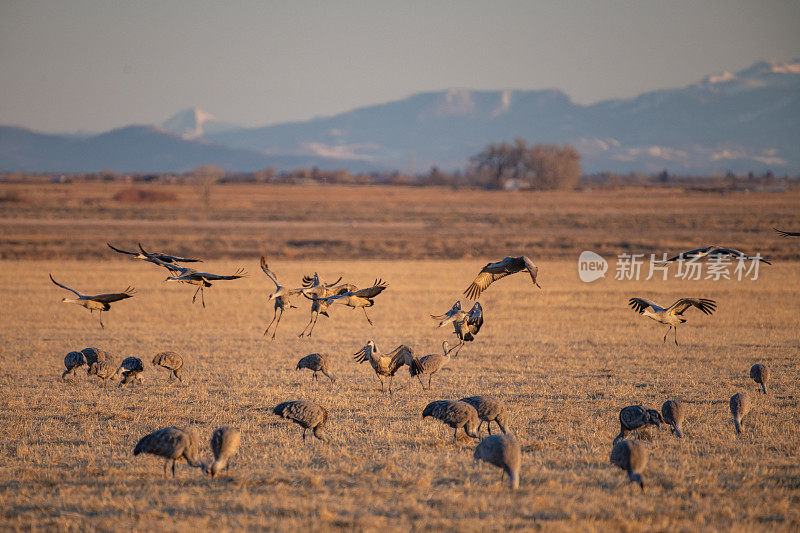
(565,359)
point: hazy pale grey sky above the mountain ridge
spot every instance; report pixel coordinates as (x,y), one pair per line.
(71,65)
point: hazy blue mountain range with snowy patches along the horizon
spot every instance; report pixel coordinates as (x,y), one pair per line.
(741,122)
